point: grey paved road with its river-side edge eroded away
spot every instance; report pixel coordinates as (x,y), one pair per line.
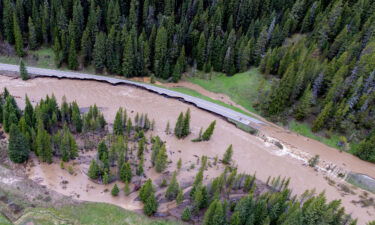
(200,103)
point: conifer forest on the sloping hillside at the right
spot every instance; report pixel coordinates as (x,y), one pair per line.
(328,75)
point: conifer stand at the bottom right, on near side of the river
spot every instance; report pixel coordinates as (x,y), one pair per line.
(275,206)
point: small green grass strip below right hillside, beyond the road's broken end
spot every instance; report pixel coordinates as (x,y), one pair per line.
(305,130)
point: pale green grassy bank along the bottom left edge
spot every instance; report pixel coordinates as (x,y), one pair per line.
(88,214)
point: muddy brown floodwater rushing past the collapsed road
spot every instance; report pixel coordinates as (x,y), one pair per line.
(252,154)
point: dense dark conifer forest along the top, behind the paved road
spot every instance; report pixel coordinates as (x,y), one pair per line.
(143,37)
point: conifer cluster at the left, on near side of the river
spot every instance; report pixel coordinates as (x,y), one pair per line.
(46,129)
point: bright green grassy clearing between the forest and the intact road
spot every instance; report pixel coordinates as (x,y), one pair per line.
(242,88)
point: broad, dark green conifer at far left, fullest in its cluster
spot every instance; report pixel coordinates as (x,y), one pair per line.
(18,149)
